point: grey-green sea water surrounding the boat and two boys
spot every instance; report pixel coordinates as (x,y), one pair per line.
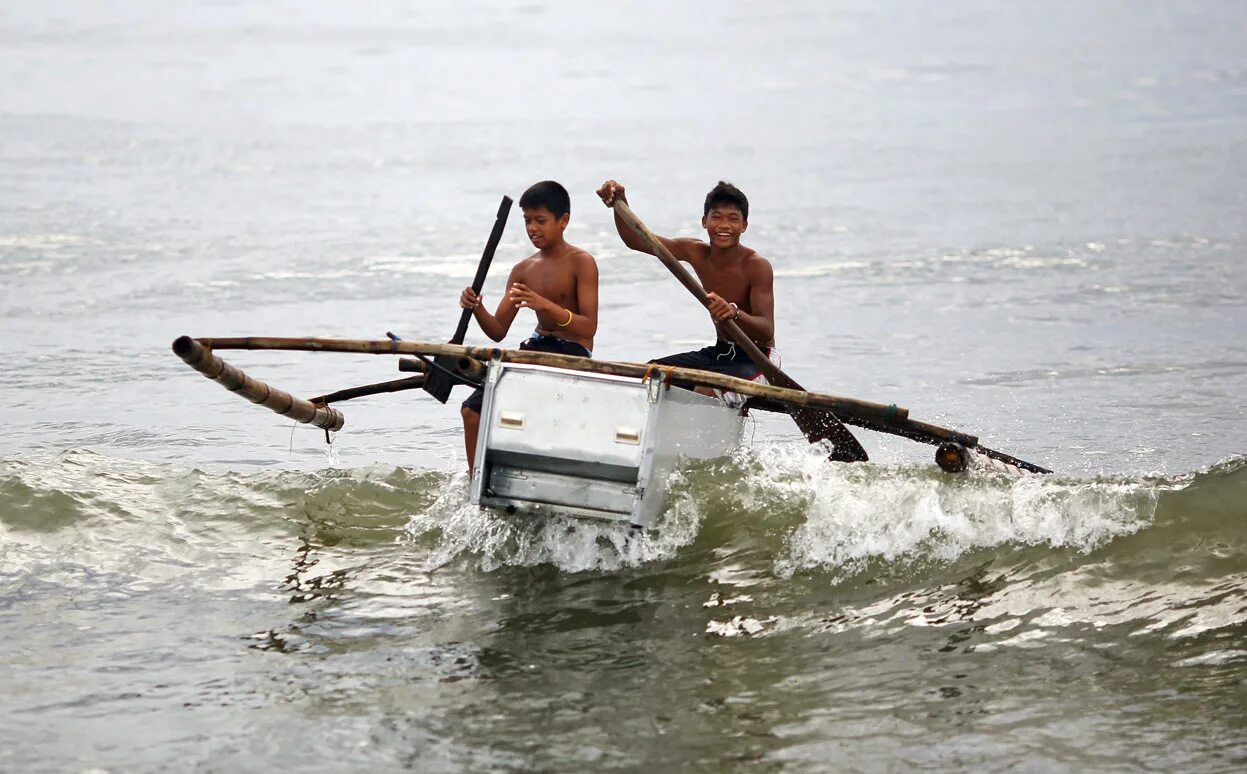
(1023,222)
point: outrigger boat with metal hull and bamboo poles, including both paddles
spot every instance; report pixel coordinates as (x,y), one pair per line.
(587,438)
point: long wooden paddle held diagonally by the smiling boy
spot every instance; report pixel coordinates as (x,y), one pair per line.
(816,424)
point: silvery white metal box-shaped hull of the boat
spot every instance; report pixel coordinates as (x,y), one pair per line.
(589,446)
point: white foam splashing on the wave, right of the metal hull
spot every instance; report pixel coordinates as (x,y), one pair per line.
(852,514)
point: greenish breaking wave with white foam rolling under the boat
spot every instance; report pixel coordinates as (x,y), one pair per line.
(795,513)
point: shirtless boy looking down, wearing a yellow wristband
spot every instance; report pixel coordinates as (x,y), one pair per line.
(559,284)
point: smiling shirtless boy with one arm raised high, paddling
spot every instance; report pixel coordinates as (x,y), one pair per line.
(739,282)
